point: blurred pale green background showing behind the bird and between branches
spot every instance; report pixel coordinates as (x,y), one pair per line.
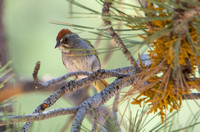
(31,38)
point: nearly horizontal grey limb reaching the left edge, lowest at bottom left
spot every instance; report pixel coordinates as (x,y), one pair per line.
(38,116)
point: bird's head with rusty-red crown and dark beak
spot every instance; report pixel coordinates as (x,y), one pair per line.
(65,39)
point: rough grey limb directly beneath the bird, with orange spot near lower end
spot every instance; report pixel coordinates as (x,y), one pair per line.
(73,86)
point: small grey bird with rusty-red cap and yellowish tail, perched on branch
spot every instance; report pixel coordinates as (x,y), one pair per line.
(79,55)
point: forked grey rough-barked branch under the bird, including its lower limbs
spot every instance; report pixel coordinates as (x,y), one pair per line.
(125,77)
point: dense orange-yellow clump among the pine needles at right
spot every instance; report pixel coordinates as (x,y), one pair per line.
(175,55)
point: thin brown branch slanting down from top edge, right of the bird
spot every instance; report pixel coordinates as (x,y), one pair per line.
(115,36)
